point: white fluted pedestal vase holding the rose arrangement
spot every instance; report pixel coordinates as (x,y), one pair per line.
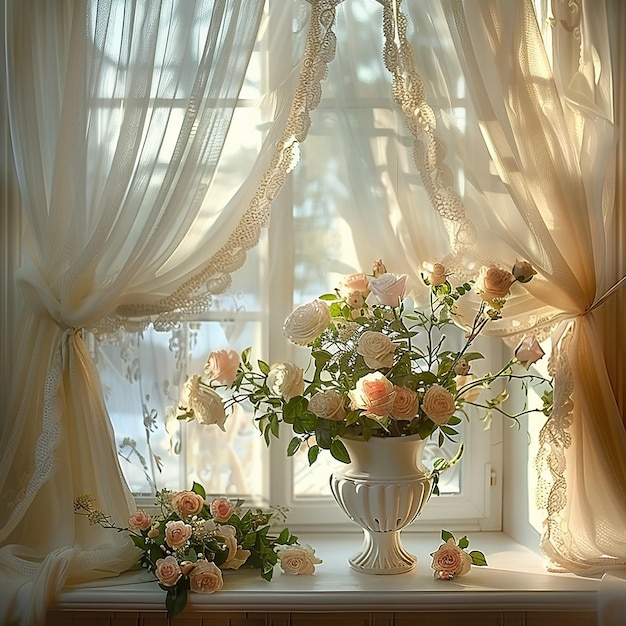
(383,489)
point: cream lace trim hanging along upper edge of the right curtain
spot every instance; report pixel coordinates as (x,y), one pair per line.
(428,150)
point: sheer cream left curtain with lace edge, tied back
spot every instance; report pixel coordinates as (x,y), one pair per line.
(122,117)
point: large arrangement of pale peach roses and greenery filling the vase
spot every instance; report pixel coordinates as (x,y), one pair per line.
(379,367)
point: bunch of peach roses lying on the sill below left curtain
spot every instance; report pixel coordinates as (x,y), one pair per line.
(192,541)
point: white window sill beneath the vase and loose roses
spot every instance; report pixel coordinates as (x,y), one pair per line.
(515,580)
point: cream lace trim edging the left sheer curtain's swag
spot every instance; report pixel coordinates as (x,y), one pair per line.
(194,296)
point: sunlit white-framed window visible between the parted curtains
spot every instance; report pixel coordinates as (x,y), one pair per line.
(332,218)
